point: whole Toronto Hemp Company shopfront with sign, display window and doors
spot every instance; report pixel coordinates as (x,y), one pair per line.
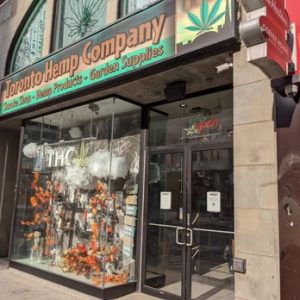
(125,174)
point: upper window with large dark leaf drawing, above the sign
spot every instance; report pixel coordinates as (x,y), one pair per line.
(77,19)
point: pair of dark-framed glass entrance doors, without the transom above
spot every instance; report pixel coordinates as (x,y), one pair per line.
(189,238)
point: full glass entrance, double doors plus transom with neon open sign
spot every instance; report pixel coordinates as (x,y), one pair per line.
(207,234)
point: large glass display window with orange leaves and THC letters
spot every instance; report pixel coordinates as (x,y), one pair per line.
(77,201)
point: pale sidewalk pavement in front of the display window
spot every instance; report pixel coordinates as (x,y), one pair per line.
(17,285)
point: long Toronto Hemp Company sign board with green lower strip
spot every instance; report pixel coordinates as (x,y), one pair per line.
(138,41)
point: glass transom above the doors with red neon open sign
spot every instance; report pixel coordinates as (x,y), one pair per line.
(201,119)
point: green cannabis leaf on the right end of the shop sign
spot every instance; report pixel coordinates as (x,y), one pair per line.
(207,19)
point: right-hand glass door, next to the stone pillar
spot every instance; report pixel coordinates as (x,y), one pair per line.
(210,223)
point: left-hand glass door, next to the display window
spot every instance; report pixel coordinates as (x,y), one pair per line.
(164,269)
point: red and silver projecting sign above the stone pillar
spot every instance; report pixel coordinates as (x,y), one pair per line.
(265,35)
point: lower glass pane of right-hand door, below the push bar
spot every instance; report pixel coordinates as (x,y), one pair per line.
(211,266)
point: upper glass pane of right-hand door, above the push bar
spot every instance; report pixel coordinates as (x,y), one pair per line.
(212,172)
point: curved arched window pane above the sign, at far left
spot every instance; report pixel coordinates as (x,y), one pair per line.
(29,47)
